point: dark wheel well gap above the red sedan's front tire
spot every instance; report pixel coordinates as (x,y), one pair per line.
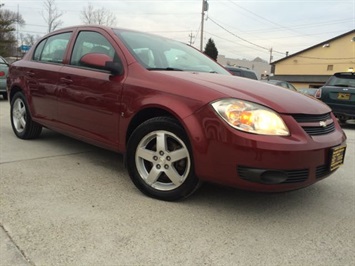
(144,115)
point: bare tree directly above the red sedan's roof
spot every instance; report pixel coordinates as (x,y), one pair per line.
(99,16)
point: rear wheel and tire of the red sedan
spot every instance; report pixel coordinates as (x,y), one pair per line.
(21,121)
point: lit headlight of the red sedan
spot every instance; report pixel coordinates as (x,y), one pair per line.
(251,117)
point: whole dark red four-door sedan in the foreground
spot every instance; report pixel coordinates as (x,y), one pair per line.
(178,117)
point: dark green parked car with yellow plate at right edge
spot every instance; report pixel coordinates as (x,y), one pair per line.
(339,93)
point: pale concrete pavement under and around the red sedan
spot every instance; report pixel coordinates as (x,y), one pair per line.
(64,202)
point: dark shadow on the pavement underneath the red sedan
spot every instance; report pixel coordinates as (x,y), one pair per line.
(213,195)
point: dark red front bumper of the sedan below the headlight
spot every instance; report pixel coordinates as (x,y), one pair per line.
(263,163)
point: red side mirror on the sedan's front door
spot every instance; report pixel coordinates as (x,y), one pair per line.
(102,61)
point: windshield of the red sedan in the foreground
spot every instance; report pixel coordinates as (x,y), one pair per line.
(158,53)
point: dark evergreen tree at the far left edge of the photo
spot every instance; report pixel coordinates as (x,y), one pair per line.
(8,20)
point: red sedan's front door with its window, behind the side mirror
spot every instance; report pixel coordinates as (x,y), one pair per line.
(89,98)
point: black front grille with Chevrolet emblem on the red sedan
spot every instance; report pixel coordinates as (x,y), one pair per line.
(311,124)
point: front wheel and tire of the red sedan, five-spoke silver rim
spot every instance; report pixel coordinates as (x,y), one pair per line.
(159,160)
